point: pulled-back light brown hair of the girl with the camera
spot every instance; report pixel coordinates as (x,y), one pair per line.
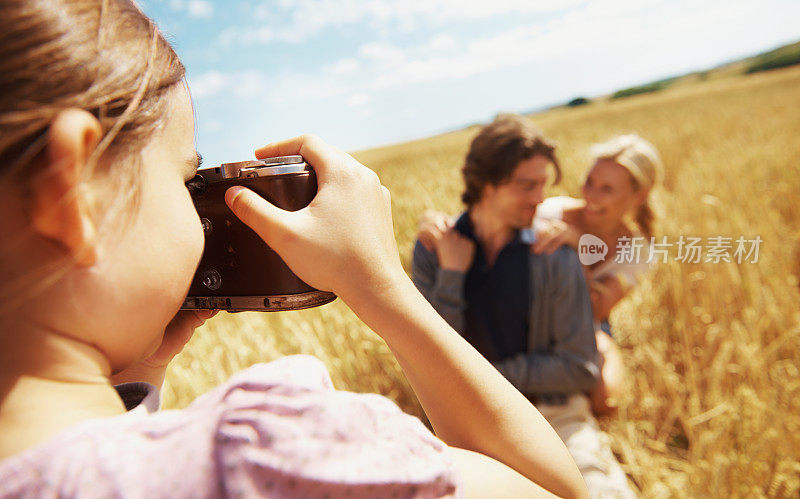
(102,56)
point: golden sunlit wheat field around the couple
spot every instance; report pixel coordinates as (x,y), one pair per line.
(713,349)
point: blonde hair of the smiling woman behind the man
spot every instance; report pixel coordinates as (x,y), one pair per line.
(642,161)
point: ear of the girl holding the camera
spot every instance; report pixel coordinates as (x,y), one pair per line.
(60,199)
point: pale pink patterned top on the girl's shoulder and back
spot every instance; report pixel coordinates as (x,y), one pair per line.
(277,429)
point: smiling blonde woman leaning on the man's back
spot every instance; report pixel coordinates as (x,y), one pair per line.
(615,207)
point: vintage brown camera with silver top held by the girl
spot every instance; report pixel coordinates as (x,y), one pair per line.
(238,271)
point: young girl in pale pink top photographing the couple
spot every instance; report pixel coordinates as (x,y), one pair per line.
(98,243)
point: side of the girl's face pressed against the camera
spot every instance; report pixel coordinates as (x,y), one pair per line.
(144,273)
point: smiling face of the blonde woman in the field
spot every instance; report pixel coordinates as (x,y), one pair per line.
(609,193)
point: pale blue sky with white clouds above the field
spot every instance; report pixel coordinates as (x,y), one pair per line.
(371,72)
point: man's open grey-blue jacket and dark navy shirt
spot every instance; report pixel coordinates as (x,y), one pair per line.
(549,355)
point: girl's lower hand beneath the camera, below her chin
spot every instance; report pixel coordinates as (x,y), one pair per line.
(177,333)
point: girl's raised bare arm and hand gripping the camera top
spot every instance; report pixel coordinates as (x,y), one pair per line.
(344,242)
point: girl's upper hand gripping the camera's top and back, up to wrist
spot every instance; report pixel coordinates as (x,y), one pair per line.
(343,241)
